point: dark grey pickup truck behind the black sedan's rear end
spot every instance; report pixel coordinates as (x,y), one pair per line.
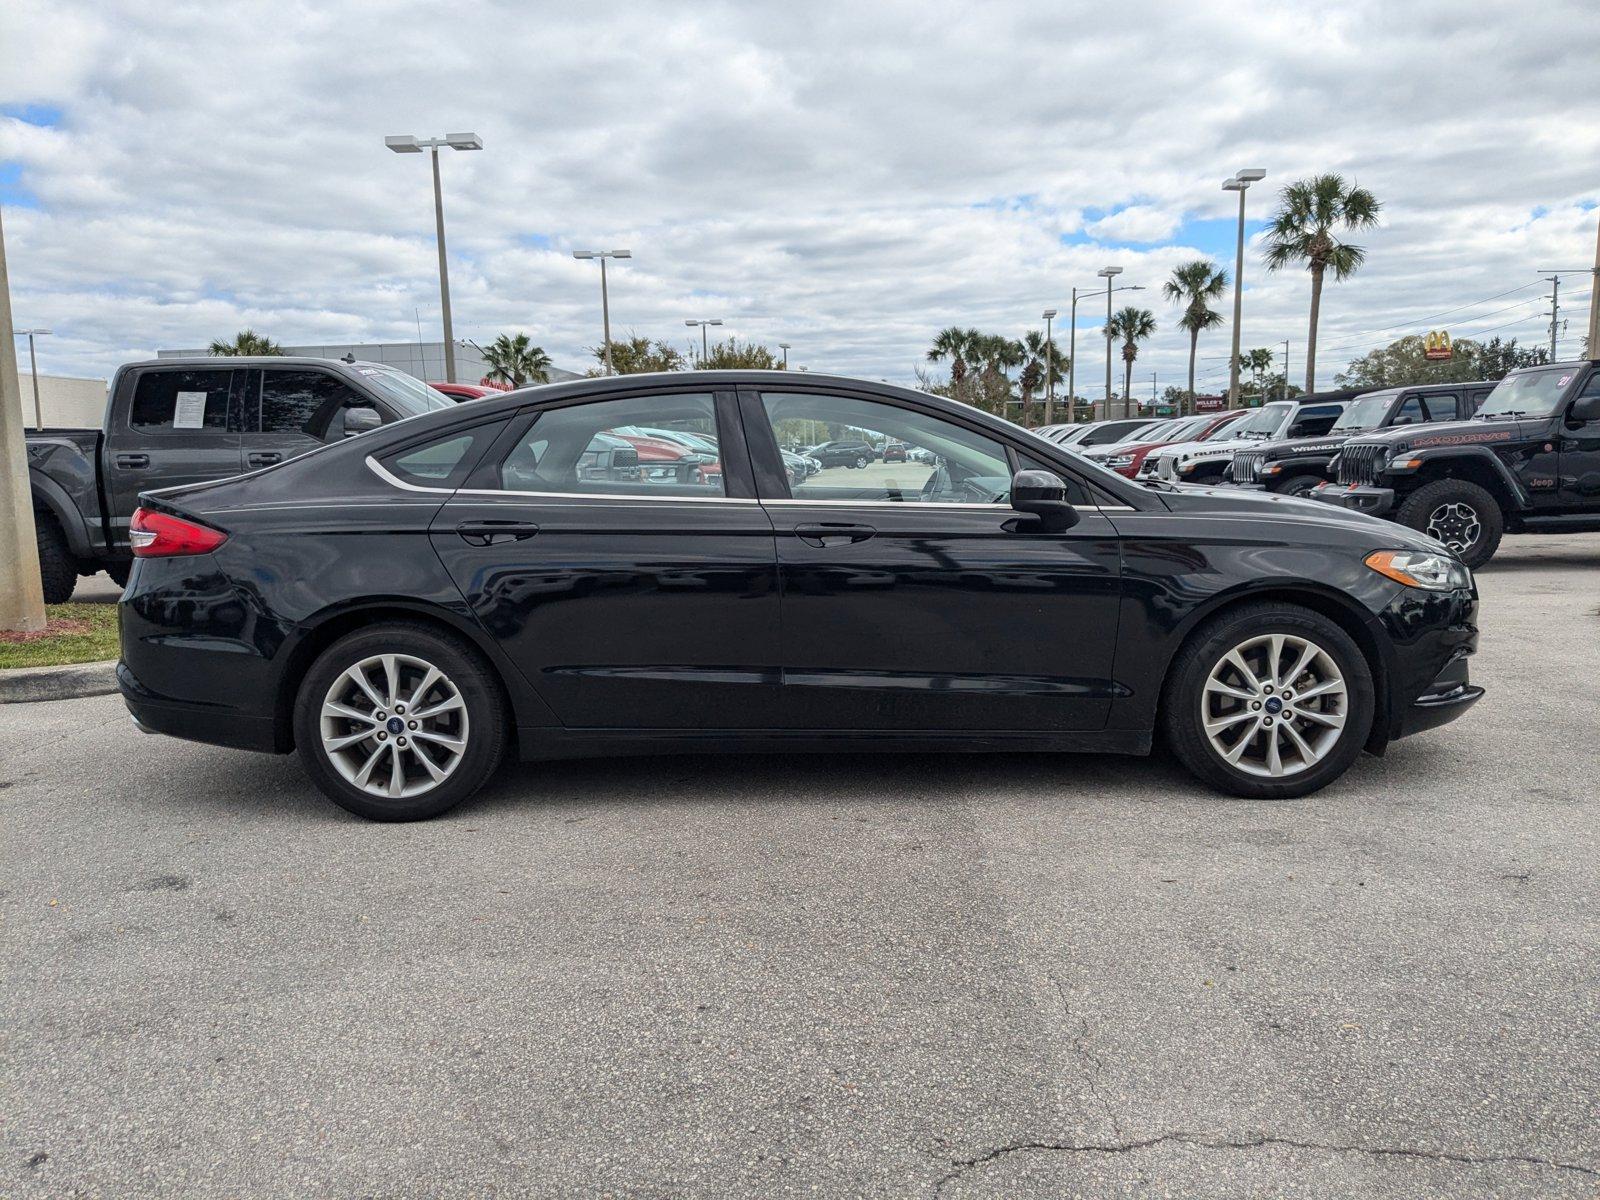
(174,422)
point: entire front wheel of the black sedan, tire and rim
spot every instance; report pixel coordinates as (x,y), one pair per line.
(1270,702)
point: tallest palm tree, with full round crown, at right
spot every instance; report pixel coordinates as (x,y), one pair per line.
(1303,231)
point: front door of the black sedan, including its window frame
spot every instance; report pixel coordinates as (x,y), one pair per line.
(914,598)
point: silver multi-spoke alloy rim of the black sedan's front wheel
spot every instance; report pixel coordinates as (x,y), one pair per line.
(1274,706)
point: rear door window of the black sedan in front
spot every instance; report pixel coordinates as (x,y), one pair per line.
(658,446)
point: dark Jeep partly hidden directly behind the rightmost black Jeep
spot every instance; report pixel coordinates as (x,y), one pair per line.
(1295,466)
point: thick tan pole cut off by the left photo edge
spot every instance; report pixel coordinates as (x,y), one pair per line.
(22,593)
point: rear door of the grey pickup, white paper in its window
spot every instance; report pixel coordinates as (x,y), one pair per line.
(172,426)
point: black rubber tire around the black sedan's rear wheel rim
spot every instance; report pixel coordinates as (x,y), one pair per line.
(463,666)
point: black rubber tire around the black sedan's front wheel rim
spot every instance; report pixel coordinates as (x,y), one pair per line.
(1185,694)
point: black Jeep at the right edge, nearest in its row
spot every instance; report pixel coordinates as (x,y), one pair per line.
(1529,462)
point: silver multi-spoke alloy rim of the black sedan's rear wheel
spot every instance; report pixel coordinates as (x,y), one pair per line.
(394,726)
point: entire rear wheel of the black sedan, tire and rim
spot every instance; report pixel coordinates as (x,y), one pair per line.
(399,722)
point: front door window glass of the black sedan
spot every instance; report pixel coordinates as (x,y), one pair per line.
(894,455)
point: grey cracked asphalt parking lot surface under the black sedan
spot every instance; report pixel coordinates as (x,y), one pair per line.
(865,975)
